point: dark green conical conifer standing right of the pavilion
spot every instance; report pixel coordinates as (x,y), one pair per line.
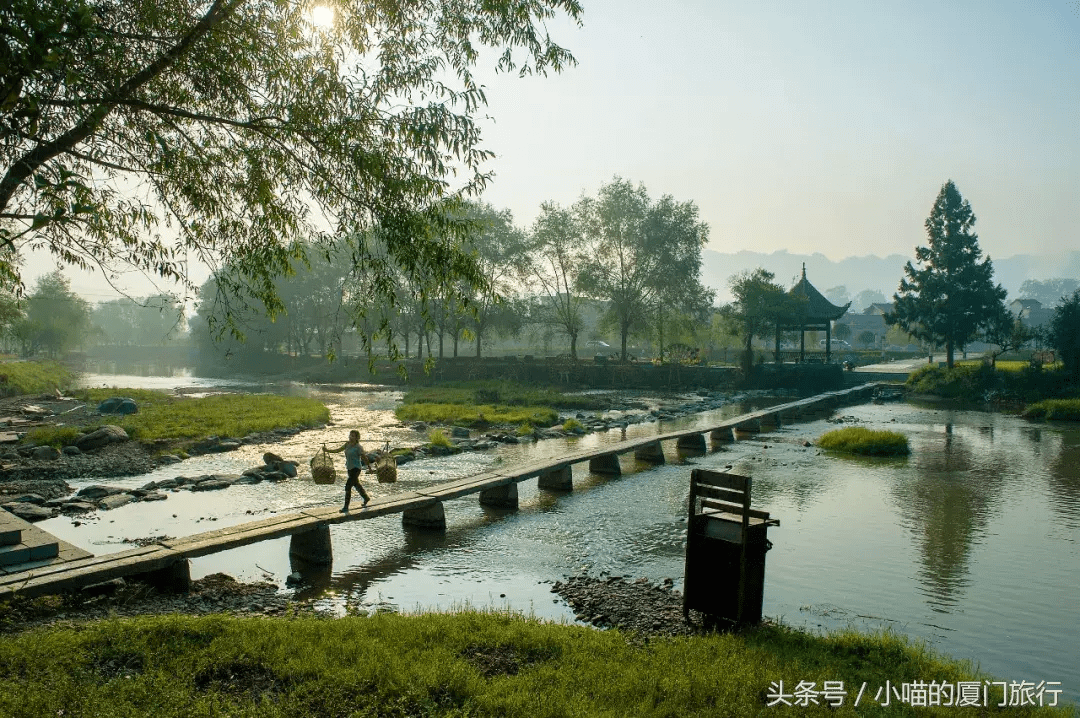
(951,297)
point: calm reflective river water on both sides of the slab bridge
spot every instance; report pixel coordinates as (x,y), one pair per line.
(971,544)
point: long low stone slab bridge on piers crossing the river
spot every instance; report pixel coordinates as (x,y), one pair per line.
(35,563)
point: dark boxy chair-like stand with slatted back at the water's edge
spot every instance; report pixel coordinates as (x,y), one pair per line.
(724,576)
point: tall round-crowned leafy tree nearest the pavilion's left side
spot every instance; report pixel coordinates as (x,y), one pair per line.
(645,256)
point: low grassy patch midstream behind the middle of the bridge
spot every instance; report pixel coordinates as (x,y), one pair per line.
(480,403)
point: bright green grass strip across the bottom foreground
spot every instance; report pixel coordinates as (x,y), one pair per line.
(464,666)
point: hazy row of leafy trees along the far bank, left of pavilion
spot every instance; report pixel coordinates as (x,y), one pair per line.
(636,260)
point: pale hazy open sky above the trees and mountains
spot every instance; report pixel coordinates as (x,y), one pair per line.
(804,127)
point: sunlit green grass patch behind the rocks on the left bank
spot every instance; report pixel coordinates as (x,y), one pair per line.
(182,418)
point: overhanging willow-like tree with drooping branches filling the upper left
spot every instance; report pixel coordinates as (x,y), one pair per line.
(157,133)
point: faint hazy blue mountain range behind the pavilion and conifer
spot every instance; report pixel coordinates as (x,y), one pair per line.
(870,273)
